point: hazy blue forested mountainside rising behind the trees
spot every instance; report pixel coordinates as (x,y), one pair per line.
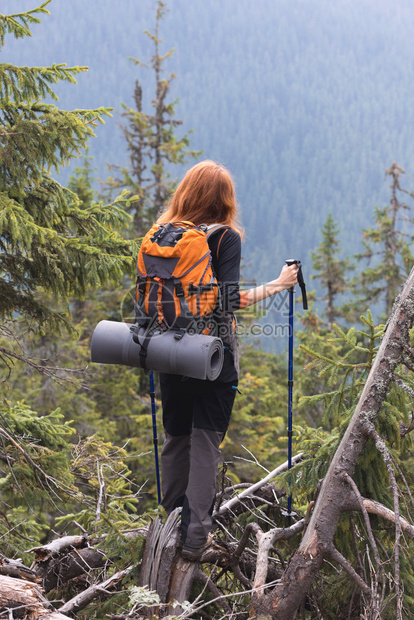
(307,102)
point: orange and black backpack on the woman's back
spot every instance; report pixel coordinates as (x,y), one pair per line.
(176,285)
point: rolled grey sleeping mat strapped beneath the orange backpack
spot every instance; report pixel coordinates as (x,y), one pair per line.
(193,355)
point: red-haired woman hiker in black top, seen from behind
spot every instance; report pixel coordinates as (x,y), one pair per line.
(196,413)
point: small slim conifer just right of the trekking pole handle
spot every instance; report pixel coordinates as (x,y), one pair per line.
(330,270)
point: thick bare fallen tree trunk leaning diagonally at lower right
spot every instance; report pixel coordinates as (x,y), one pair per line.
(283,602)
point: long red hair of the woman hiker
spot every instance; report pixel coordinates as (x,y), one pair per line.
(205,195)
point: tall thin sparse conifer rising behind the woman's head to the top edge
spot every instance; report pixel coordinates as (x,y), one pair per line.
(151,140)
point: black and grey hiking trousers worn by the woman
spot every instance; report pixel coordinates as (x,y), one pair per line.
(196,416)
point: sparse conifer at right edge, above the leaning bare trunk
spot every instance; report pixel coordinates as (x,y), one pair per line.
(388,248)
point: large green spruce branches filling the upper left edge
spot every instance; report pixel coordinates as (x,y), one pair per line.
(49,240)
